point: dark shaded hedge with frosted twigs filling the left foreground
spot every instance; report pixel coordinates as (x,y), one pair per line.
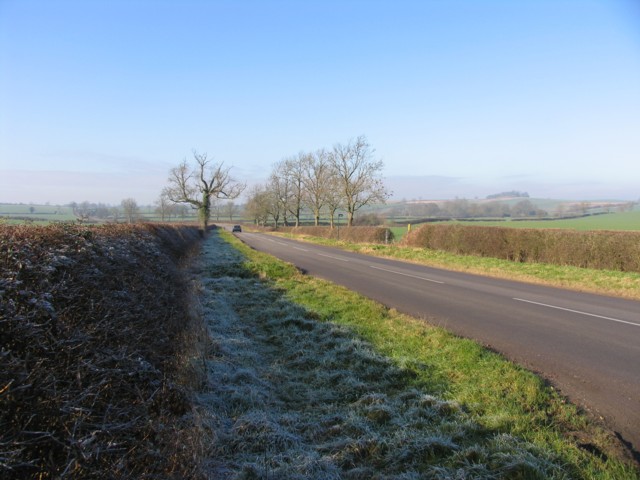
(92,327)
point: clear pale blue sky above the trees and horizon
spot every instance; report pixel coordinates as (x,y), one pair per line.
(459,98)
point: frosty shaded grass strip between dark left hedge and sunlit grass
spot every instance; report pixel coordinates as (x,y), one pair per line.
(292,397)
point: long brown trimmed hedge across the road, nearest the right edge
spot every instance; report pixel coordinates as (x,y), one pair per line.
(604,250)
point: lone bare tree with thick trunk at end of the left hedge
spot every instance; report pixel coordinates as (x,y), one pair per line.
(198,185)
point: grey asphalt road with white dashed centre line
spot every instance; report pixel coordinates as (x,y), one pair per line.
(587,345)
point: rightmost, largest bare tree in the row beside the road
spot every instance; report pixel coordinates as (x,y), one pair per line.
(358,175)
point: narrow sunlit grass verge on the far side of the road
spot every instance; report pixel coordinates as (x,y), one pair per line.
(604,282)
